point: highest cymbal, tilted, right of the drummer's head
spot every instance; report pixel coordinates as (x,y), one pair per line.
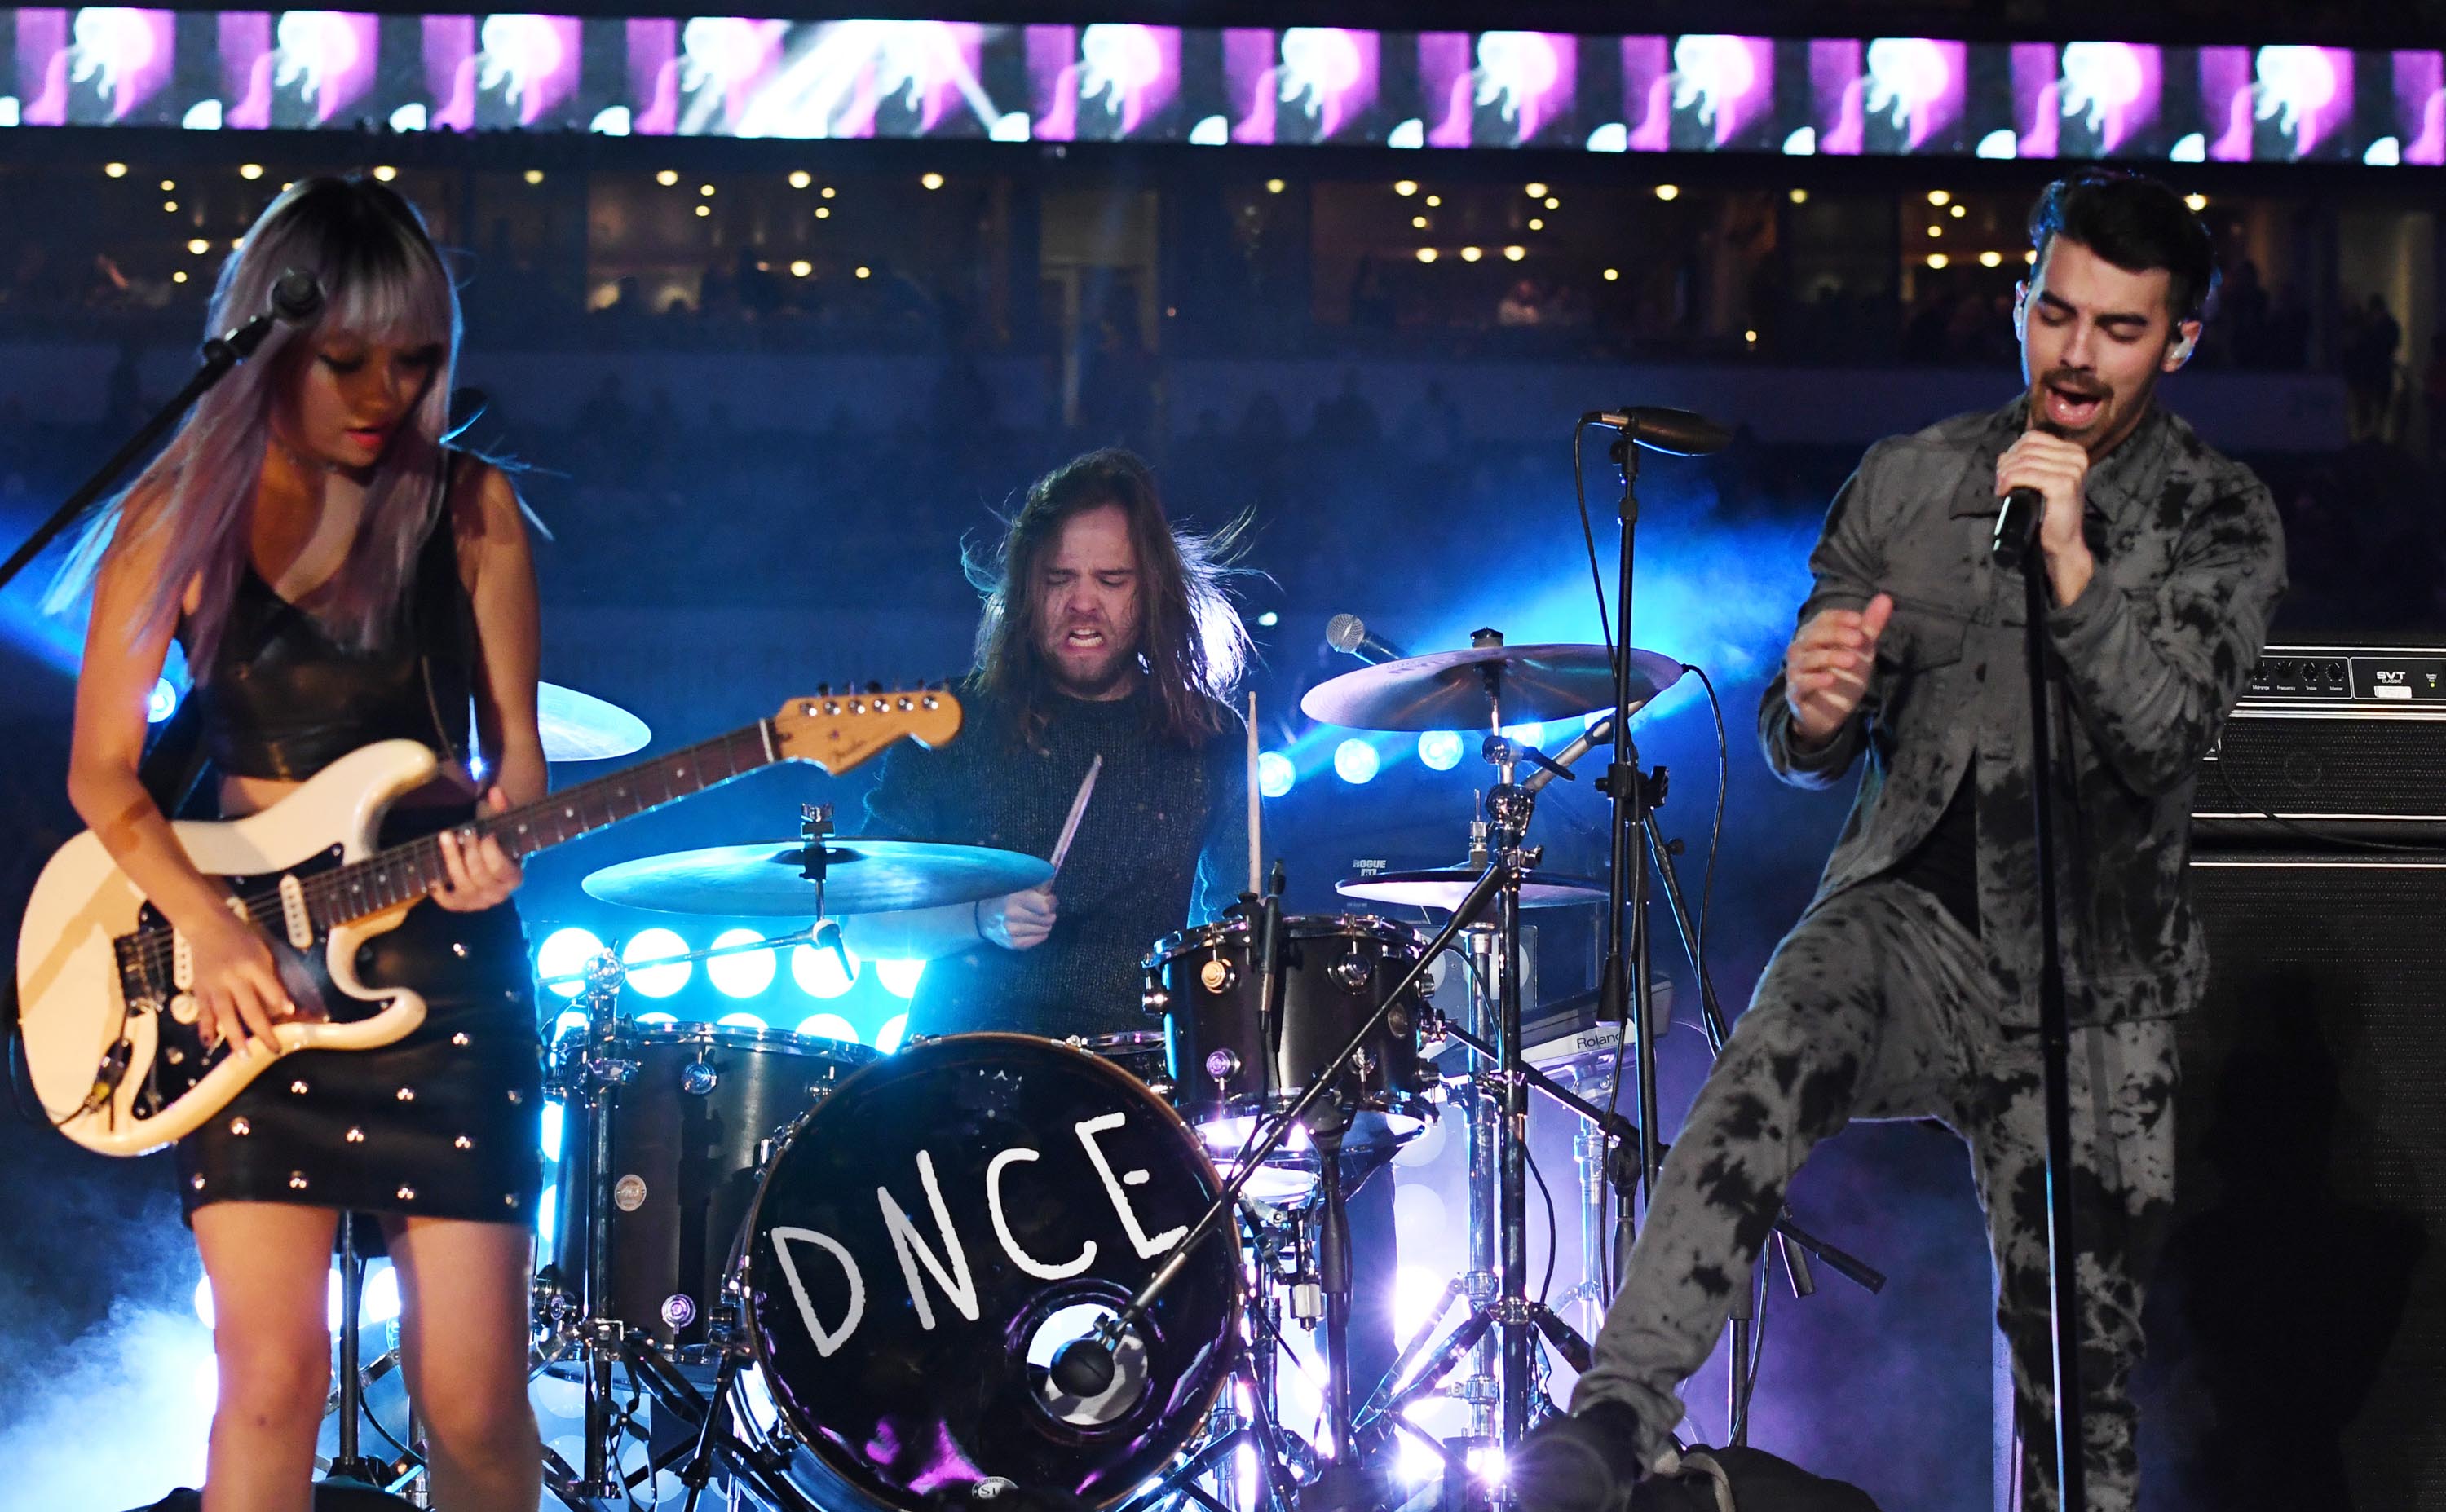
(1452,689)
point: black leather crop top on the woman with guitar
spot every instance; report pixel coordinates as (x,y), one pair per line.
(285,699)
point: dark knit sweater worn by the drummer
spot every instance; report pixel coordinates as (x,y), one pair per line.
(1163,845)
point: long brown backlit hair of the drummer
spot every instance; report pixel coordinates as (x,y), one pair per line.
(1190,635)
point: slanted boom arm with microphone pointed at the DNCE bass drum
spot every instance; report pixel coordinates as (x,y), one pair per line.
(1085,1366)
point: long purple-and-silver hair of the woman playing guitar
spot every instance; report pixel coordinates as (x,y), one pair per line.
(383,283)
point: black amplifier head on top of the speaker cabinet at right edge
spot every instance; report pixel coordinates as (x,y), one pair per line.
(2330,745)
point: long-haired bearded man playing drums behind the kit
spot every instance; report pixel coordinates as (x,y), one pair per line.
(1107,635)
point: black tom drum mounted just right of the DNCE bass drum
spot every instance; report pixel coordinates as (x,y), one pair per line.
(1337,970)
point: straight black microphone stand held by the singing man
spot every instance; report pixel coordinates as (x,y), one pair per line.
(2056,1043)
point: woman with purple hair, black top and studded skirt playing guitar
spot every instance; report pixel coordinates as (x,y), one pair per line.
(339,576)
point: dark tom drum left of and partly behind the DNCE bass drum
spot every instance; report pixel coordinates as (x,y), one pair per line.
(686,1132)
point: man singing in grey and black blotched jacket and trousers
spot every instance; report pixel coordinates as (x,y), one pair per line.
(1909,990)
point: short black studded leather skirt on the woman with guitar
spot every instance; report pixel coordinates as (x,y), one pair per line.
(444,1122)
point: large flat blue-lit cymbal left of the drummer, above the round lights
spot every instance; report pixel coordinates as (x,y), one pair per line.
(860,877)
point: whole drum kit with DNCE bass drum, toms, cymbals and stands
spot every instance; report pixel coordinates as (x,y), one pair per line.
(997,1264)
